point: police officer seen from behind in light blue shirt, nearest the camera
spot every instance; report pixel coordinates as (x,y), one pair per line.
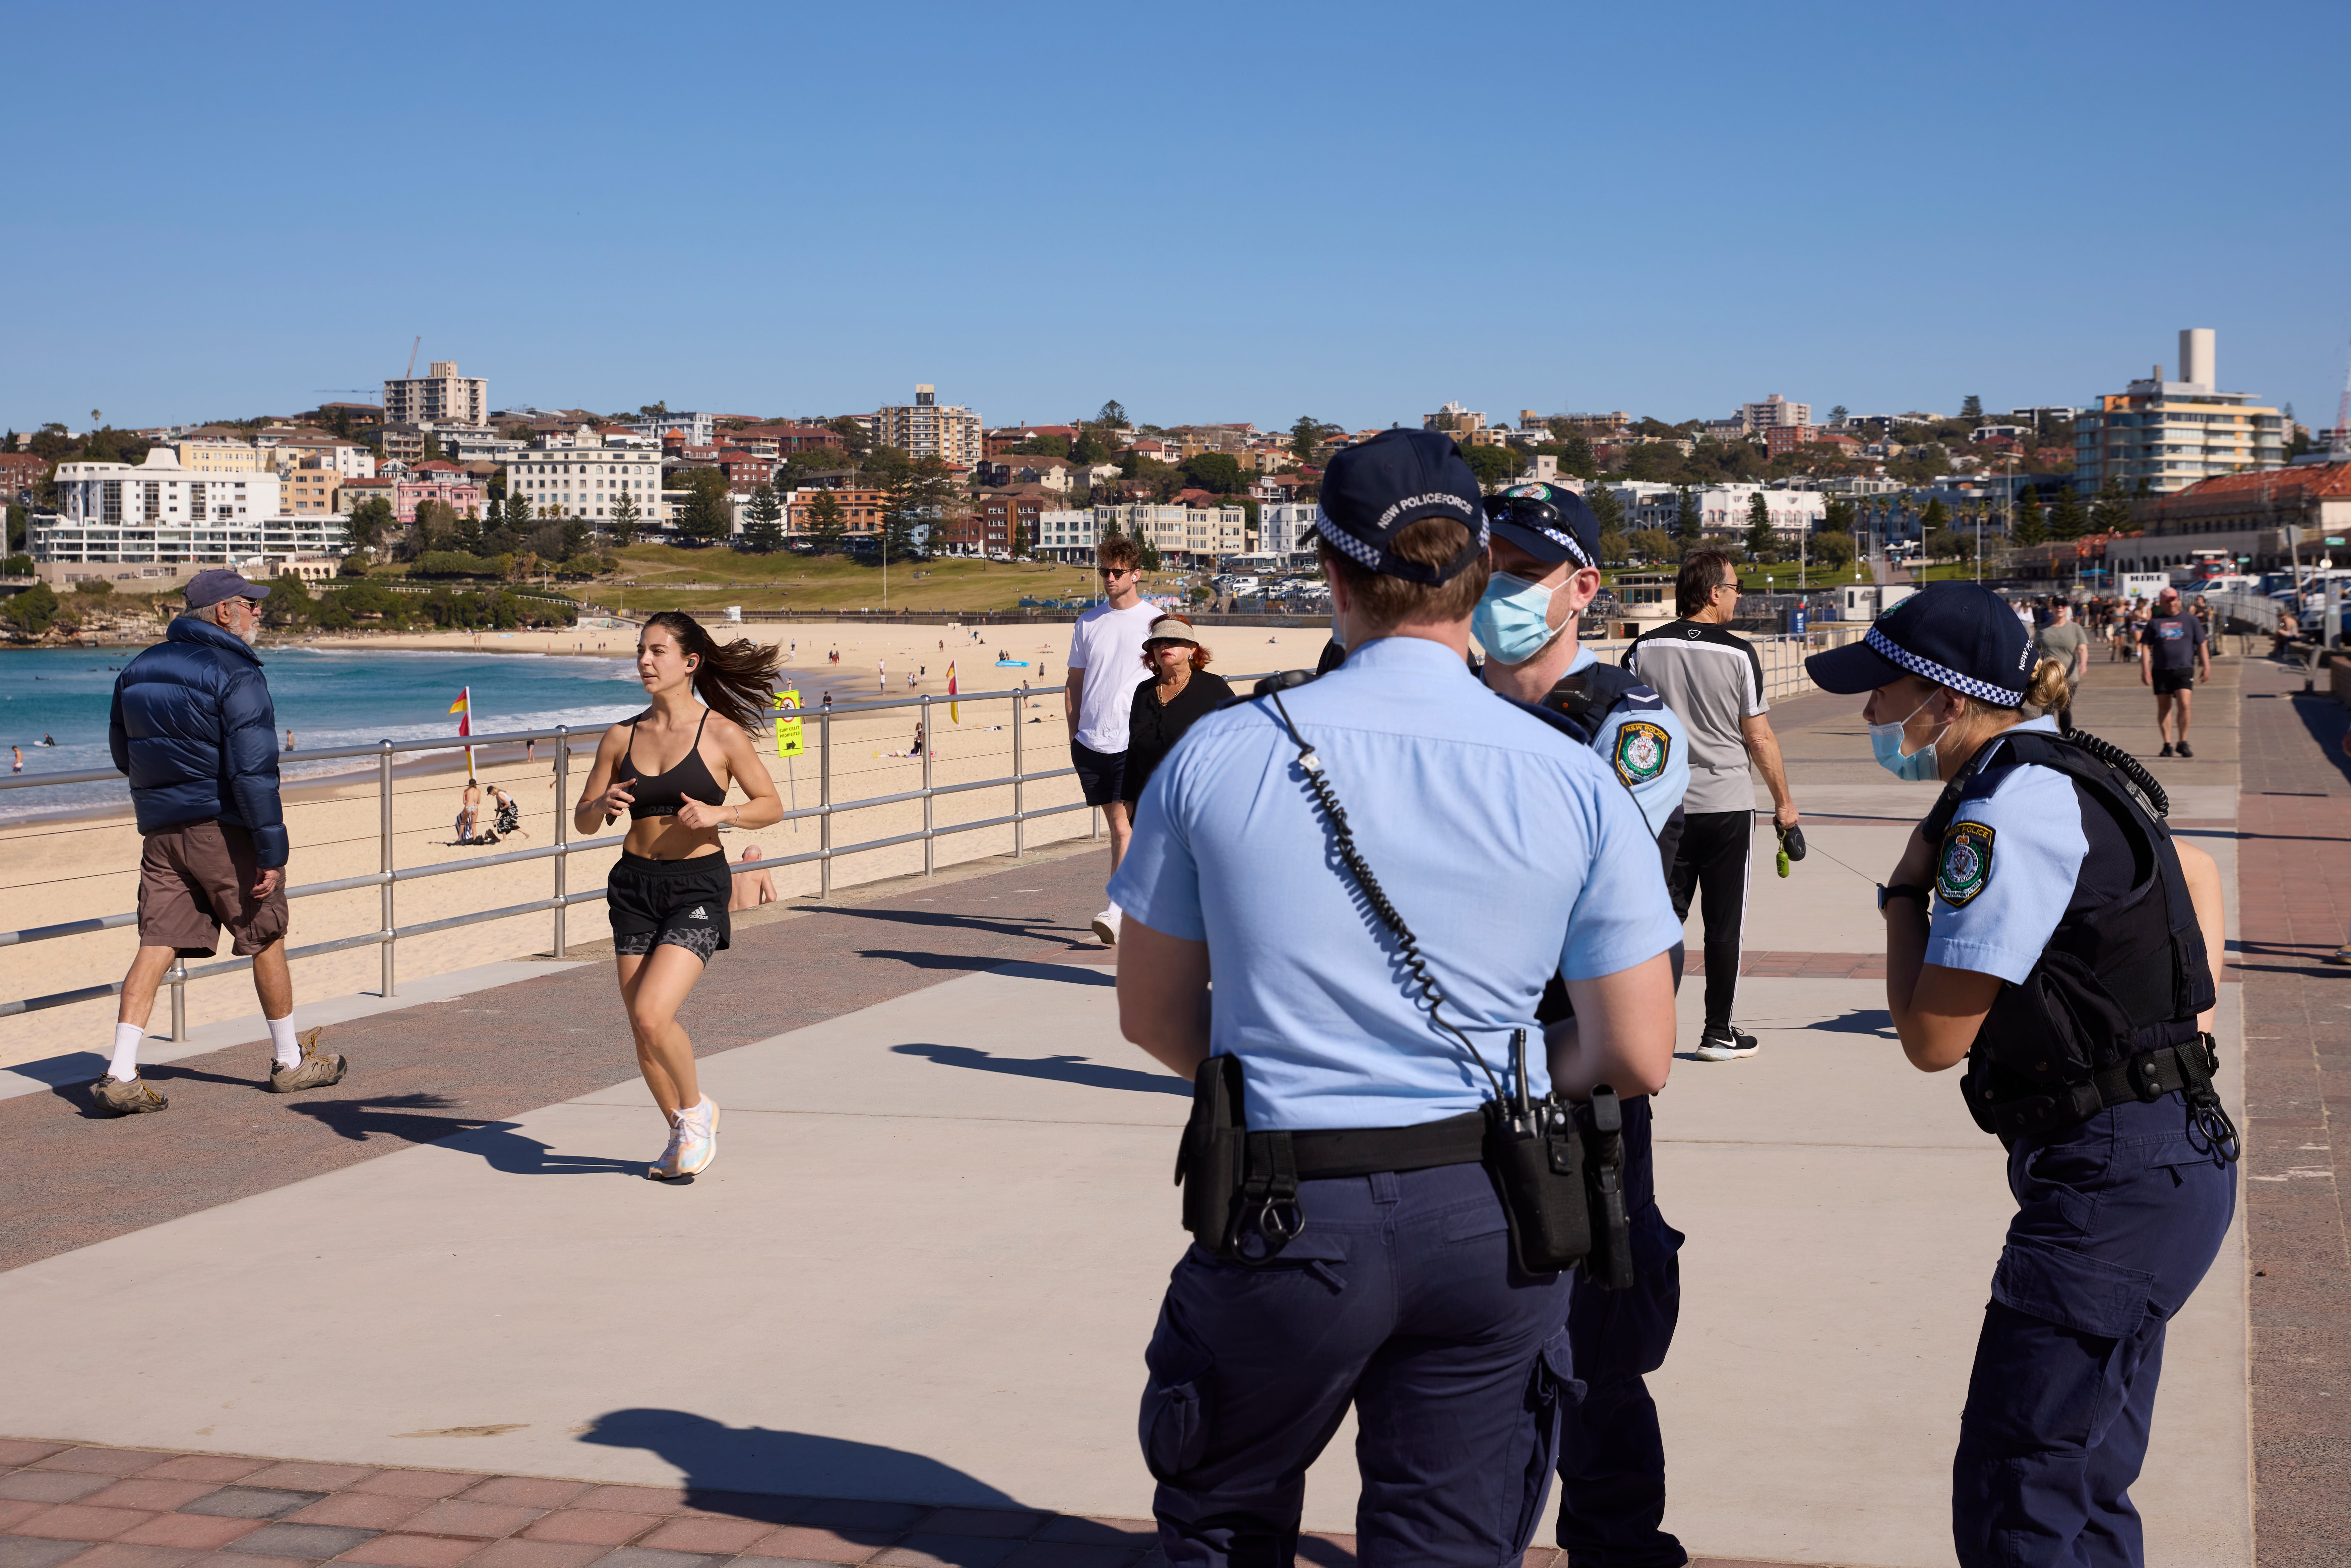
(1506,852)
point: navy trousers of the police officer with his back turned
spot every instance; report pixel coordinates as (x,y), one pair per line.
(1400,1301)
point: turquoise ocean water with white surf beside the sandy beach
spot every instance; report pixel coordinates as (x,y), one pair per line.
(344,697)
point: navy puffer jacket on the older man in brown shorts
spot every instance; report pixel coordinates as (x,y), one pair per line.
(199,735)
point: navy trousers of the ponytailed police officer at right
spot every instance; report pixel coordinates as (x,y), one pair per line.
(2117,1224)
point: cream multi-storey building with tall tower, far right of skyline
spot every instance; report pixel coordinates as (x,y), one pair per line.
(2166,436)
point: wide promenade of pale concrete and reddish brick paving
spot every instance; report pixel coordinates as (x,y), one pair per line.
(902,1318)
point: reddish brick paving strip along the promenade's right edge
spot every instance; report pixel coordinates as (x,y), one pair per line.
(2293,911)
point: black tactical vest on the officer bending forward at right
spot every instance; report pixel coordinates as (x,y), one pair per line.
(2117,981)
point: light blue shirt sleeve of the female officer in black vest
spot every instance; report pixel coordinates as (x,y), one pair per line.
(2004,885)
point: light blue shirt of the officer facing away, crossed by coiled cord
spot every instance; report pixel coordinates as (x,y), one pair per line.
(1508,847)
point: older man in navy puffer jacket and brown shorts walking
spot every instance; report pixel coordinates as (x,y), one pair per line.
(199,737)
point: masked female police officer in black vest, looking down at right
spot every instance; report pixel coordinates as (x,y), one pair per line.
(2068,965)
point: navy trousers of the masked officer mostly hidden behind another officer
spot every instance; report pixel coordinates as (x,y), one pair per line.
(1612,1456)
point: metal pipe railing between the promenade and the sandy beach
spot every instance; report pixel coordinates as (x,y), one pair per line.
(561,852)
